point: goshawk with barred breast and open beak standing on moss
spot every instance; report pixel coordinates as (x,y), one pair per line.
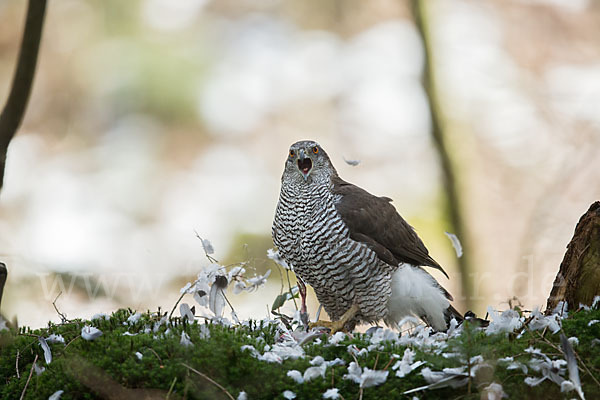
(363,260)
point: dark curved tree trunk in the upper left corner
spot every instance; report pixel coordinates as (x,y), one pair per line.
(13,112)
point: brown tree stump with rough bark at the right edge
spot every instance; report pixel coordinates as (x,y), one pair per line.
(578,280)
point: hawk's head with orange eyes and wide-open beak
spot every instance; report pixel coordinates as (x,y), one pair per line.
(307,162)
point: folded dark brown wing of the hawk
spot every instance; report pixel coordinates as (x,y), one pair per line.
(374,221)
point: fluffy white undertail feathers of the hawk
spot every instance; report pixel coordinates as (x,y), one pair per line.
(415,292)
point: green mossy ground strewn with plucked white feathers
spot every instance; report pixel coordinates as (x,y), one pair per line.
(109,368)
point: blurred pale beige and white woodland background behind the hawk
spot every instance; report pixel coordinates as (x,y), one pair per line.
(152,120)
